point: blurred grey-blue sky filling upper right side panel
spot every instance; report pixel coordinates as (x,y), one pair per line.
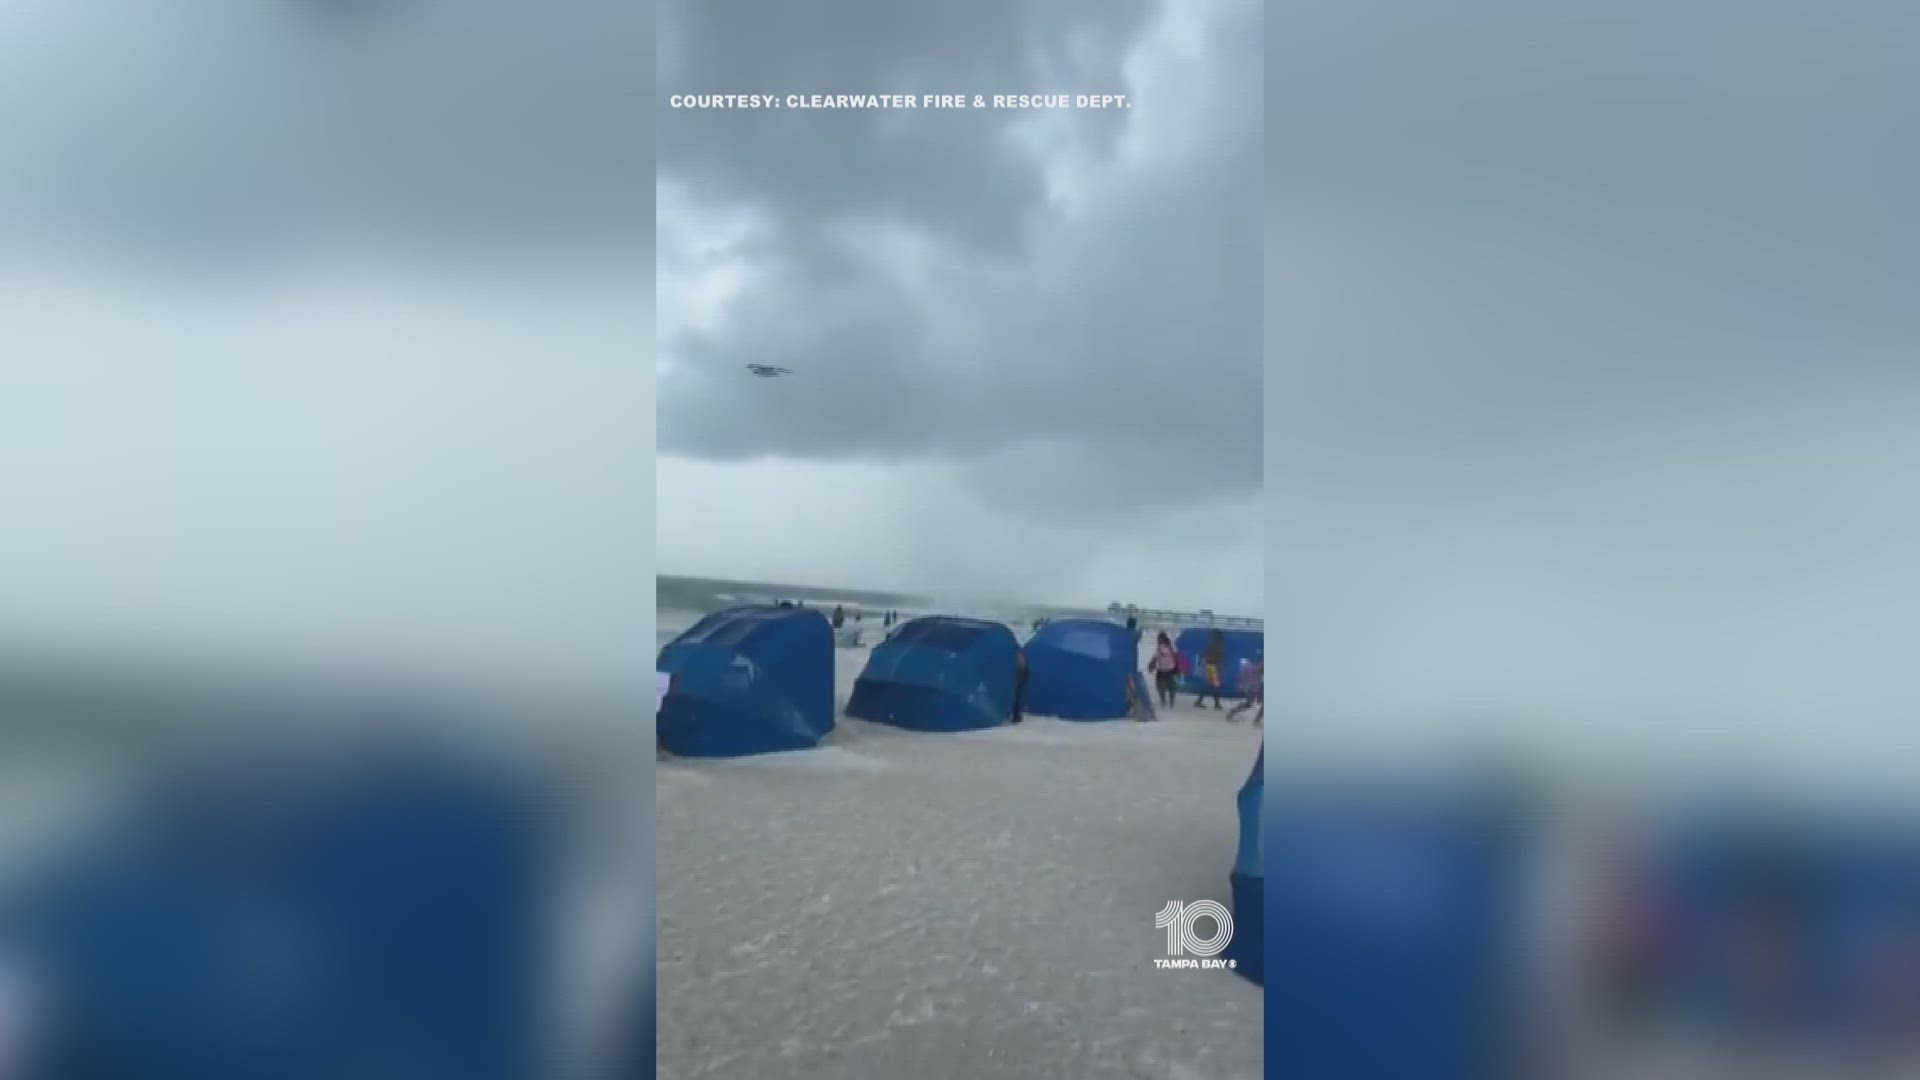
(1596,370)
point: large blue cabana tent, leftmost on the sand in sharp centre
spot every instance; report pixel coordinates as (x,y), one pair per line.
(750,681)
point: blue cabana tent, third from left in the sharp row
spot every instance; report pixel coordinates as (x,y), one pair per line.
(1086,670)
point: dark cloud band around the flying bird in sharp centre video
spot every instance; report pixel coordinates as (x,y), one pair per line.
(1159,333)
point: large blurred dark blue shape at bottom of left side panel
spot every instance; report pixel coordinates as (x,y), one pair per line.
(300,923)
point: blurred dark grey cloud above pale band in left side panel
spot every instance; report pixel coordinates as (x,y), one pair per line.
(224,128)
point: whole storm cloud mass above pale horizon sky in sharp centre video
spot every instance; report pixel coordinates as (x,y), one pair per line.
(971,314)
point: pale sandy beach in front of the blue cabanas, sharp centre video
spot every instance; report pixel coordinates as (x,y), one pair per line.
(976,906)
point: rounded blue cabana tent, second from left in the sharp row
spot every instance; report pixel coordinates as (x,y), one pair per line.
(940,675)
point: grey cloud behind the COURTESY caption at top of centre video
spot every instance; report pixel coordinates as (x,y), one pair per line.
(957,176)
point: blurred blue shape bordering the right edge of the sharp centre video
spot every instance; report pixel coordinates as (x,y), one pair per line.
(1391,916)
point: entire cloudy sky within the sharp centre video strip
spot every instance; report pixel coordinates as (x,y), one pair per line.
(1026,345)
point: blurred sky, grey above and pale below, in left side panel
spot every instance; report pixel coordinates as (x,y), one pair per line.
(327,324)
